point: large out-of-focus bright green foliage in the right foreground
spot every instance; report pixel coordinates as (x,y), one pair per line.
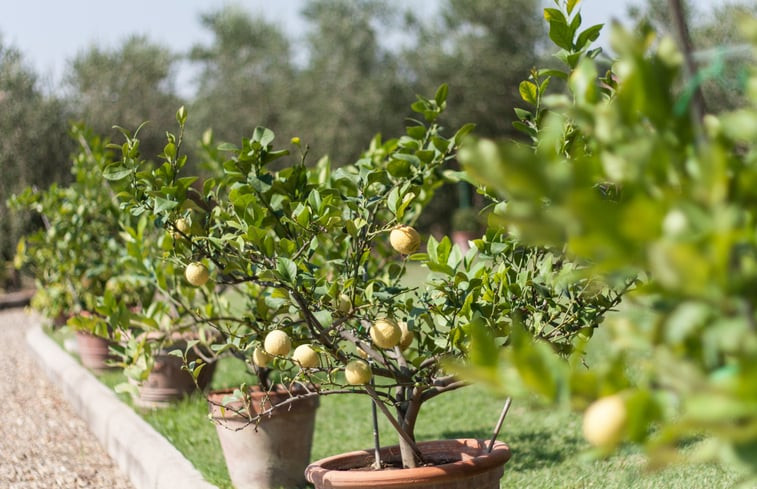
(624,176)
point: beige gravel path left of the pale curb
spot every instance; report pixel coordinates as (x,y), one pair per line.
(42,442)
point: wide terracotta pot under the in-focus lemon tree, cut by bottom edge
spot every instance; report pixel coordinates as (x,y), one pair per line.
(460,464)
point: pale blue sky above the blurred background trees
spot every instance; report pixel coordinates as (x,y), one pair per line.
(51,32)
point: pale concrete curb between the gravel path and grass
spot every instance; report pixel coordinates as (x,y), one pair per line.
(147,458)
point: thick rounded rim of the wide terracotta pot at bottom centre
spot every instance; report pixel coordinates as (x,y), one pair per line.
(474,460)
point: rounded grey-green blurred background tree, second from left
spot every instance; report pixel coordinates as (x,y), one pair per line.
(125,86)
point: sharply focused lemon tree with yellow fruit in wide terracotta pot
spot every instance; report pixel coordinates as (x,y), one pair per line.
(323,252)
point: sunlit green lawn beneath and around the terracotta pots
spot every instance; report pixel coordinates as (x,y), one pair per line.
(548,451)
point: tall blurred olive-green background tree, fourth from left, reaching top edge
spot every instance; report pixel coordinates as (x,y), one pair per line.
(349,88)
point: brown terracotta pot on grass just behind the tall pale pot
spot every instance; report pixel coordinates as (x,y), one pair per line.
(168,382)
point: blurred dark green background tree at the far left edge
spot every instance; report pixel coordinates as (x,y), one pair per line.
(34,145)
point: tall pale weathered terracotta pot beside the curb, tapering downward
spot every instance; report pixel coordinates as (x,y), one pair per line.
(274,454)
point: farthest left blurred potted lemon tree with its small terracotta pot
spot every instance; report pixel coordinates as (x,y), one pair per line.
(73,254)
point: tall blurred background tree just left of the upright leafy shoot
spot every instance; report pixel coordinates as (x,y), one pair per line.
(479,48)
